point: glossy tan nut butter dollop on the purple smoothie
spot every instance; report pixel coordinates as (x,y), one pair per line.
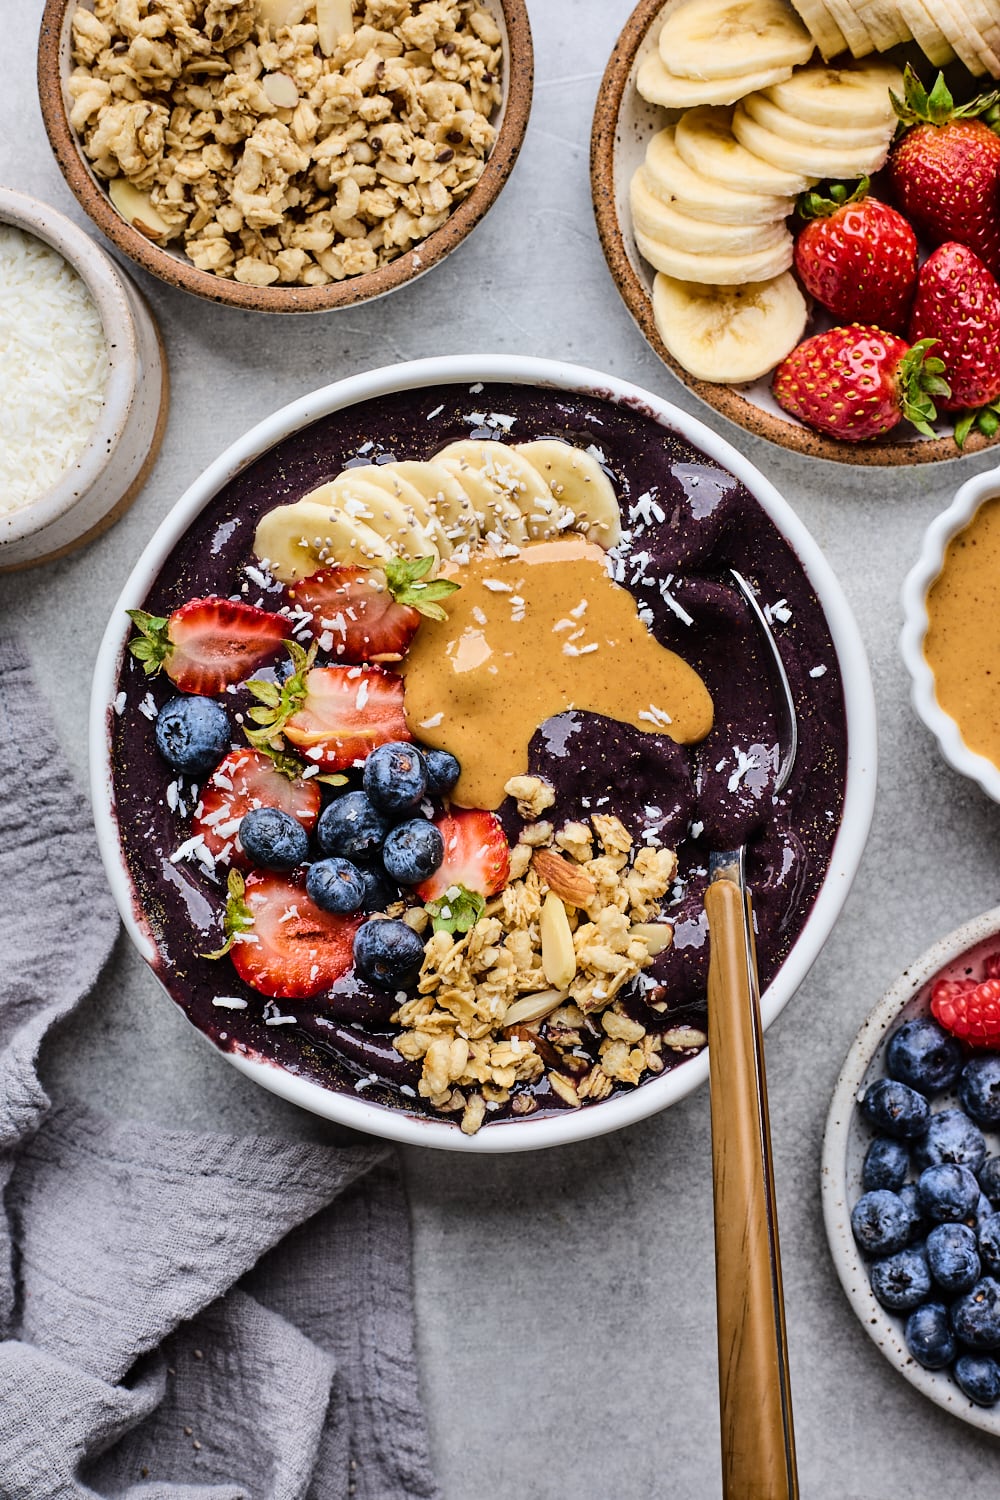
(531,637)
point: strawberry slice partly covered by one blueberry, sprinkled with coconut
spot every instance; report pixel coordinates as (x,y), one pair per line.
(242,781)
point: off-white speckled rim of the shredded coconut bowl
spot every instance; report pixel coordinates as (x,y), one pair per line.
(104,283)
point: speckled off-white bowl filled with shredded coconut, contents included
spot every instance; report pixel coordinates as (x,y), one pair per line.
(83,386)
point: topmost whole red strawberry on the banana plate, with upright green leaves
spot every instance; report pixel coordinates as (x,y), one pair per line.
(945,170)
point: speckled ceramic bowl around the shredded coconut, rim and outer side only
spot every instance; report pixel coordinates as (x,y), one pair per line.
(125,440)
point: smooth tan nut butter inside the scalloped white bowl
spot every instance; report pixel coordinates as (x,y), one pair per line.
(963,637)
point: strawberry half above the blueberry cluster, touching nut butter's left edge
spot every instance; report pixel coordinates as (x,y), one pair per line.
(346,713)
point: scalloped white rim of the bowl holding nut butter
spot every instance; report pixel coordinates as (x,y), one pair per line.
(969,499)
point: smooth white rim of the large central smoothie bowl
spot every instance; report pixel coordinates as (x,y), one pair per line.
(860,707)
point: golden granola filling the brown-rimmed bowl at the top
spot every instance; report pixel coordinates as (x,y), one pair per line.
(227,125)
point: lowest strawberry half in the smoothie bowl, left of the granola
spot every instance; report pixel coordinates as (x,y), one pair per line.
(283,943)
